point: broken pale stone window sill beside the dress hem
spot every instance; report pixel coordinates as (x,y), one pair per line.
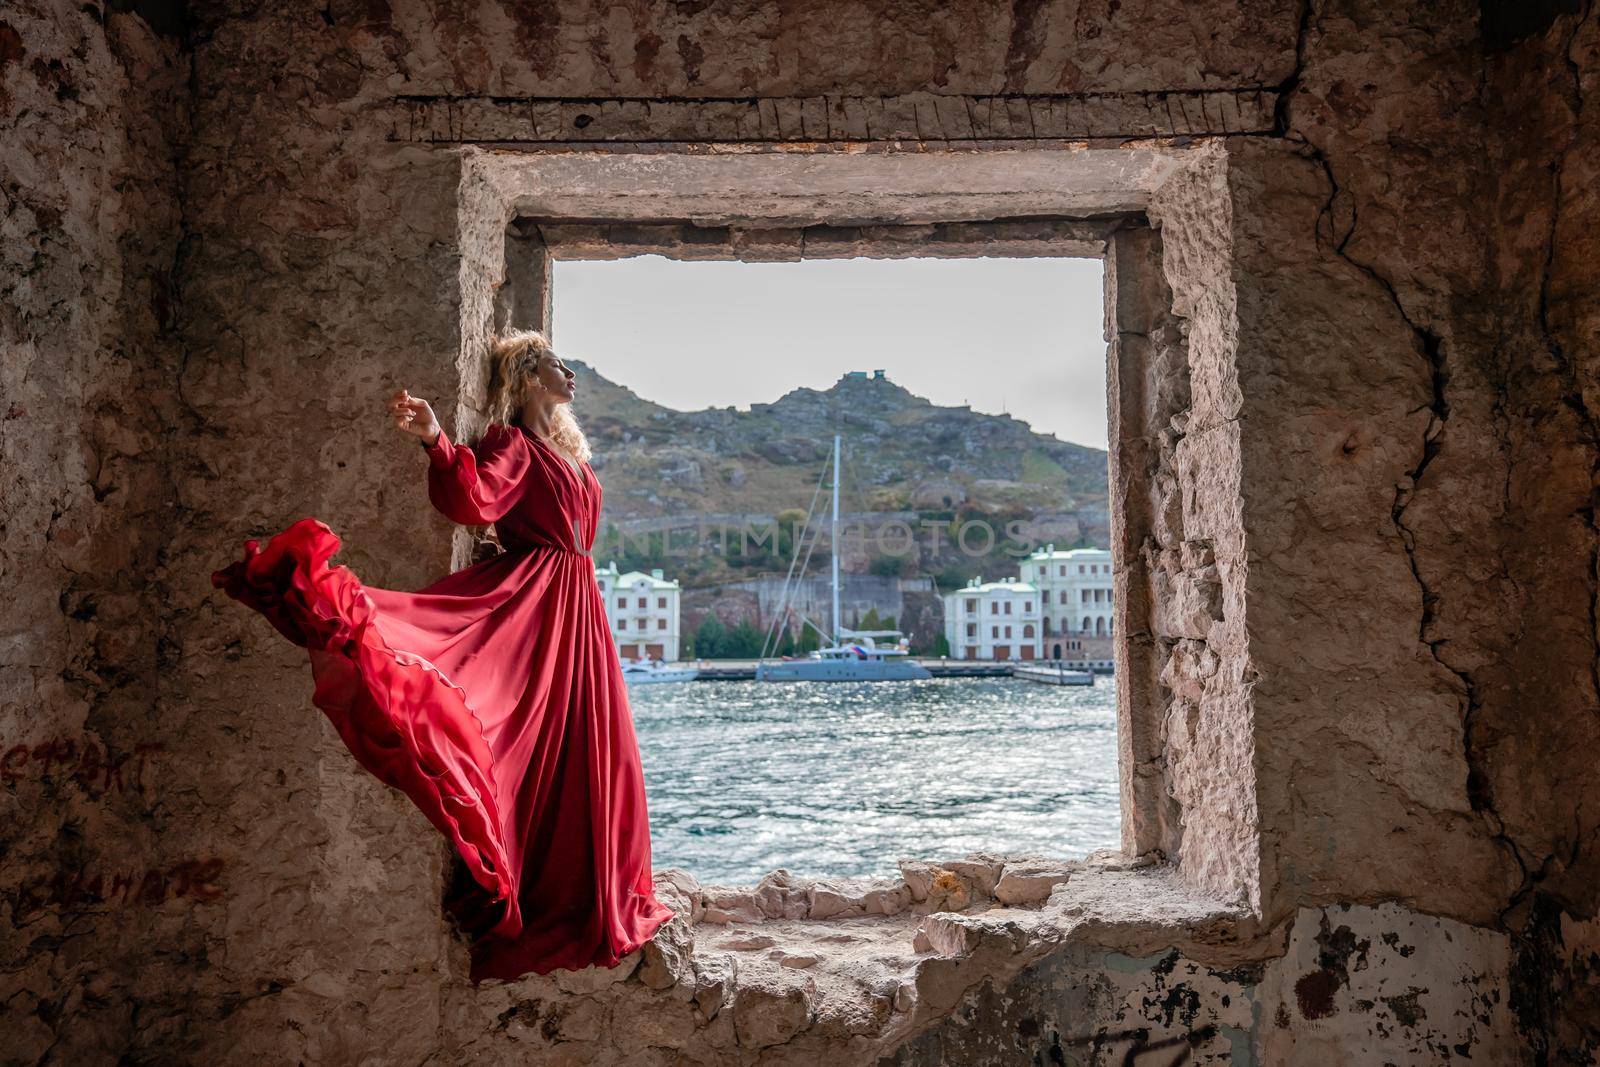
(876,961)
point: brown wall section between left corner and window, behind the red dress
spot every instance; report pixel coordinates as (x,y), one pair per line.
(321,276)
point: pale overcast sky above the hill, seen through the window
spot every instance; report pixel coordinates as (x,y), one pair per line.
(1020,337)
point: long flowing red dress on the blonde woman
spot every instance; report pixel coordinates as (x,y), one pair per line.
(494,700)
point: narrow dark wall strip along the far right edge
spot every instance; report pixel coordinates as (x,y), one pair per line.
(1530,756)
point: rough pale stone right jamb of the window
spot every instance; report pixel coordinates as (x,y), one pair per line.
(1196,548)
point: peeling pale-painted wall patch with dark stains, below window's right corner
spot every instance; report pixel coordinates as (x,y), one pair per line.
(1353,986)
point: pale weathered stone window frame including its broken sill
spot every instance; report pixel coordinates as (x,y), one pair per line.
(946,924)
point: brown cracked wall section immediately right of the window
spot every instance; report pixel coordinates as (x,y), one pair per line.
(1362,230)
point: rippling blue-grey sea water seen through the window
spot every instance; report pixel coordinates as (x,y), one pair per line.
(847,778)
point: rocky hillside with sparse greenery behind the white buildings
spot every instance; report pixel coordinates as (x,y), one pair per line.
(902,454)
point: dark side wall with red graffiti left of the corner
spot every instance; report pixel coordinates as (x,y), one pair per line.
(92,119)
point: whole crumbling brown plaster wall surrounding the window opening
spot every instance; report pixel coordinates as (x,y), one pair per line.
(1412,612)
